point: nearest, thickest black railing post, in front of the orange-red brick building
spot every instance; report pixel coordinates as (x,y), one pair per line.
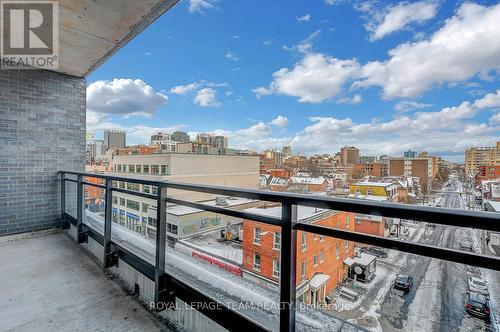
(288,268)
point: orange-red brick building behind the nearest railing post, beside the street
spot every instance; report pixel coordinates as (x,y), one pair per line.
(320,260)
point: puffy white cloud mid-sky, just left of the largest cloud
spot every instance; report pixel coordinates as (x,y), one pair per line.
(314,79)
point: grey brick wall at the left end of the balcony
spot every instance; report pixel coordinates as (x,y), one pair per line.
(42,131)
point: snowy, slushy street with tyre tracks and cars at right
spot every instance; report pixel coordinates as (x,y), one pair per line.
(436,300)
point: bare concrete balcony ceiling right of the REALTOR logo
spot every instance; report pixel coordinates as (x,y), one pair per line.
(90,31)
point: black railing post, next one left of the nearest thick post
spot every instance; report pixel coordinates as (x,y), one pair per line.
(161,239)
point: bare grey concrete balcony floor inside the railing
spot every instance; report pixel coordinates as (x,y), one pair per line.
(47,283)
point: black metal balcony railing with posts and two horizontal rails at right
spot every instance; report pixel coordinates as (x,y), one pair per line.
(168,287)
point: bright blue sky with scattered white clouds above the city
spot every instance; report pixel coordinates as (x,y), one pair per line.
(385,76)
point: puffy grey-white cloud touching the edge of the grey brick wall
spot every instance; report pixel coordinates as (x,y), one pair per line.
(125,97)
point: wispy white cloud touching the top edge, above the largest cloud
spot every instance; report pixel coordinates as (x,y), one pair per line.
(399,16)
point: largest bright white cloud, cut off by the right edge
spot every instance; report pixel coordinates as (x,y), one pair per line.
(468,44)
